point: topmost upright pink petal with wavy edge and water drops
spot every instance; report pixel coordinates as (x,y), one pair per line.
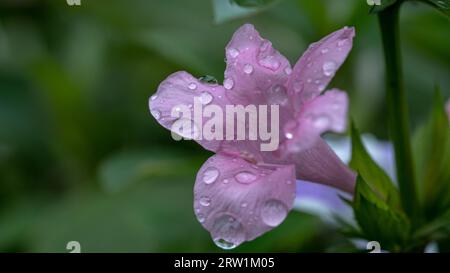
(256,73)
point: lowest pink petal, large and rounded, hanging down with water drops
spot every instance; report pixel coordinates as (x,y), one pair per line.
(237,201)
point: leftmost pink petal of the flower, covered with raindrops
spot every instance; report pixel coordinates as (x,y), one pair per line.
(176,94)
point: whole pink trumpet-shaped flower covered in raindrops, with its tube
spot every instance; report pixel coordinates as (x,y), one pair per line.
(242,192)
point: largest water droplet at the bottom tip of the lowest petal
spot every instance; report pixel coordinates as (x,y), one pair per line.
(227,232)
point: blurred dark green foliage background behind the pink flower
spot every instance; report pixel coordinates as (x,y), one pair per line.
(81,158)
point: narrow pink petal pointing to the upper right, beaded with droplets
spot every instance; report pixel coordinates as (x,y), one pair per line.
(315,69)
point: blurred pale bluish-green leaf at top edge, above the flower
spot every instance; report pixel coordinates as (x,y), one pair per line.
(227,10)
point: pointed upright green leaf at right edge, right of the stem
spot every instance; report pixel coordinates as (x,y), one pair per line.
(431,148)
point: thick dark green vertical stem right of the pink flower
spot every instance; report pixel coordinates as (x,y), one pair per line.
(398,109)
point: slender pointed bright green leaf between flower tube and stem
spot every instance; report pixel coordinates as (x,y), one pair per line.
(378,181)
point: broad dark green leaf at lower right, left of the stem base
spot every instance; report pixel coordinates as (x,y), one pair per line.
(377,220)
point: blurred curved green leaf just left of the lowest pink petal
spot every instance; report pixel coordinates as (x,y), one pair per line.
(125,168)
